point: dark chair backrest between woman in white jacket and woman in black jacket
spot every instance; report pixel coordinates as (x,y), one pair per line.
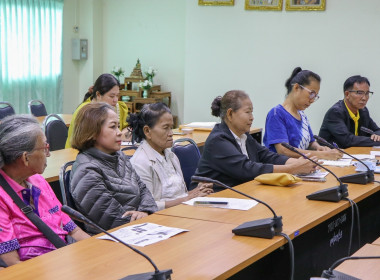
(188,156)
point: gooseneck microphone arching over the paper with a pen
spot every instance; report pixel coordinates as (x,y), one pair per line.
(263,228)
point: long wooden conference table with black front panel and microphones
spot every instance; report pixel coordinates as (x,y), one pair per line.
(210,250)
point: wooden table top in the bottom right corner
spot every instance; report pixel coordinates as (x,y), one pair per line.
(363,269)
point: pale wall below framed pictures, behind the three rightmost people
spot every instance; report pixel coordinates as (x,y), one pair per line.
(230,48)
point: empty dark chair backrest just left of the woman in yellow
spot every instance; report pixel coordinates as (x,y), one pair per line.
(55,132)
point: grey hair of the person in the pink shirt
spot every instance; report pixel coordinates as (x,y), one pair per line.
(18,134)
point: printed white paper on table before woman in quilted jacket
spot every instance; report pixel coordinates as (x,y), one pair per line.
(144,234)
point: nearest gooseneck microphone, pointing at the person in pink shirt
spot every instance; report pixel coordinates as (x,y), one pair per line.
(156,275)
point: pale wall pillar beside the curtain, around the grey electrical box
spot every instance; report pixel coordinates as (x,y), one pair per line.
(79,75)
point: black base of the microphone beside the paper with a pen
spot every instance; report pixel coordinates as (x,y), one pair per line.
(264,228)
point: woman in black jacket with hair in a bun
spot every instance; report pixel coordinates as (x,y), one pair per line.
(231,155)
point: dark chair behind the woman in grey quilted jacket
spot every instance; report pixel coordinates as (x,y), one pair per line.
(64,183)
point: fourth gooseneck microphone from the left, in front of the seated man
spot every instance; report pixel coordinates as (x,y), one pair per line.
(357,178)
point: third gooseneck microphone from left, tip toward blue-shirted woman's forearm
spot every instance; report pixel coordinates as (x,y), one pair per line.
(333,194)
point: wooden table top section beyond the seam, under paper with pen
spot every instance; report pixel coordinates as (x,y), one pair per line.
(302,215)
